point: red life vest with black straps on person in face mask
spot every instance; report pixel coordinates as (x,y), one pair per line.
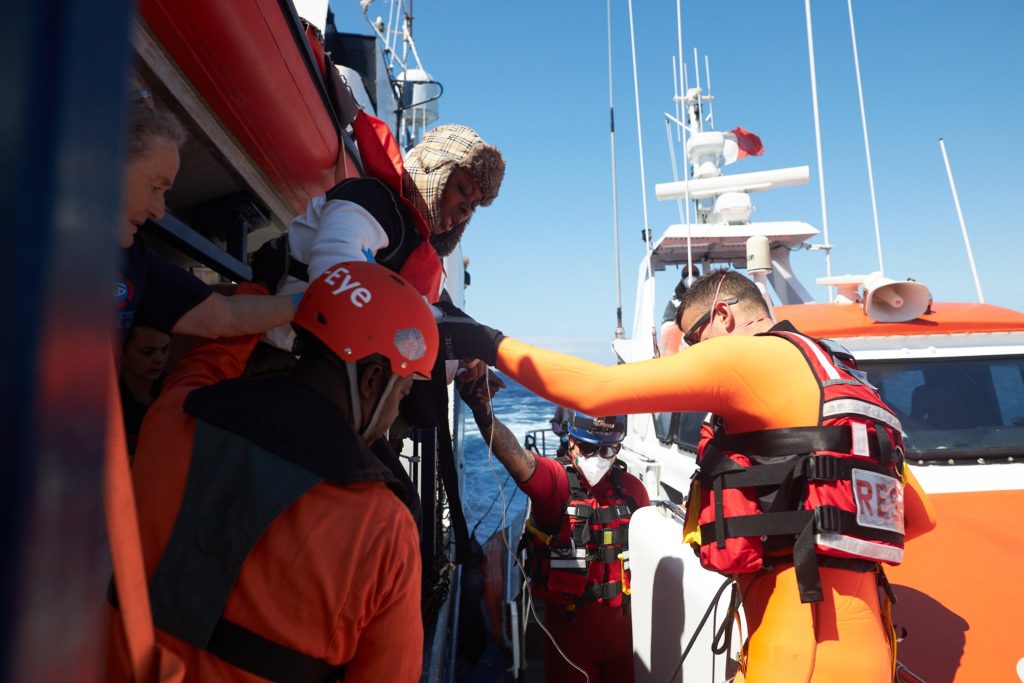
(586,559)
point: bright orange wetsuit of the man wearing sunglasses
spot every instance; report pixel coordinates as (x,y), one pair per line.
(753,383)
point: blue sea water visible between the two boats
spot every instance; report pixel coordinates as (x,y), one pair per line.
(522,412)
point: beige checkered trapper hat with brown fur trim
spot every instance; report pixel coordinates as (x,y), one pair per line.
(430,164)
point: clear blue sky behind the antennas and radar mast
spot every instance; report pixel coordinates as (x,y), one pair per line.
(532,78)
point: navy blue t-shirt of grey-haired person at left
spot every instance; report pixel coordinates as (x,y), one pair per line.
(152,291)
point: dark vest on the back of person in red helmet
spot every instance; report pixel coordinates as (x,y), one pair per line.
(245,472)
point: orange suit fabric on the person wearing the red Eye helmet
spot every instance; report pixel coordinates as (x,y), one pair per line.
(336,576)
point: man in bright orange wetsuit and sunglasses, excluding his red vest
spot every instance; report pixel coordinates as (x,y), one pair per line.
(753,381)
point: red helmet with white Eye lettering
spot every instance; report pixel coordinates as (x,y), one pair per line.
(358,310)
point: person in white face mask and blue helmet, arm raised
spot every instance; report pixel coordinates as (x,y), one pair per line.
(577,539)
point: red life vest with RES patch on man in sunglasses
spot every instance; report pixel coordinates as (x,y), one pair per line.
(832,495)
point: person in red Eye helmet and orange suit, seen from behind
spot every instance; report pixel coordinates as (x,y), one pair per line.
(279,533)
